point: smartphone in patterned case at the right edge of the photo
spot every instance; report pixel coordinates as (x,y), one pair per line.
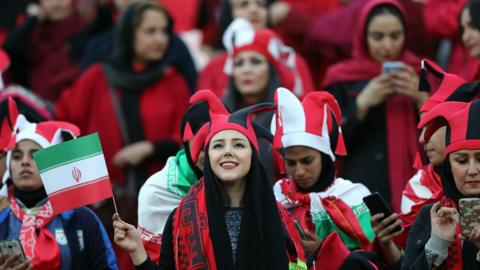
(469,214)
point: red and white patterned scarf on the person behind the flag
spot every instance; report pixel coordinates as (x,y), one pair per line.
(39,245)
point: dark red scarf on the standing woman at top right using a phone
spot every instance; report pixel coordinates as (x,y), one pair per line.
(400,109)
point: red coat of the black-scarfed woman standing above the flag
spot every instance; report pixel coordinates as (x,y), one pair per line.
(88,104)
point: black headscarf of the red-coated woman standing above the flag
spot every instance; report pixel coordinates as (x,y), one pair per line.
(130,20)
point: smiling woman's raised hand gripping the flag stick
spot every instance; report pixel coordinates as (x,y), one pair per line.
(127,237)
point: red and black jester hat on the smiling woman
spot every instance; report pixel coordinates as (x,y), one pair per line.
(221,119)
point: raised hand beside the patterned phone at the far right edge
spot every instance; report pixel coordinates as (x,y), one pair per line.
(444,221)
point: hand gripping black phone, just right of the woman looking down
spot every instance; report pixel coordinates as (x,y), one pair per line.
(384,229)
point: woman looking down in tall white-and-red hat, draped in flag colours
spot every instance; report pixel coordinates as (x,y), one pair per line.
(310,135)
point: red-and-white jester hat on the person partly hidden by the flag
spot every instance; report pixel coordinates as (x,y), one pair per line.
(45,134)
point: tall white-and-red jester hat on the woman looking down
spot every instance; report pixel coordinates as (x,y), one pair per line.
(309,123)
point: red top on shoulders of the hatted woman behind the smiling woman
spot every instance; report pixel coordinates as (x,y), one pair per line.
(212,76)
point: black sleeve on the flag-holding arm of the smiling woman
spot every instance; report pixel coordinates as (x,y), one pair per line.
(167,255)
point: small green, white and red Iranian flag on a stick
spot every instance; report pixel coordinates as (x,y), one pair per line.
(74,173)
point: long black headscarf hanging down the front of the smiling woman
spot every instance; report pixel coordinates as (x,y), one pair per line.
(262,240)
